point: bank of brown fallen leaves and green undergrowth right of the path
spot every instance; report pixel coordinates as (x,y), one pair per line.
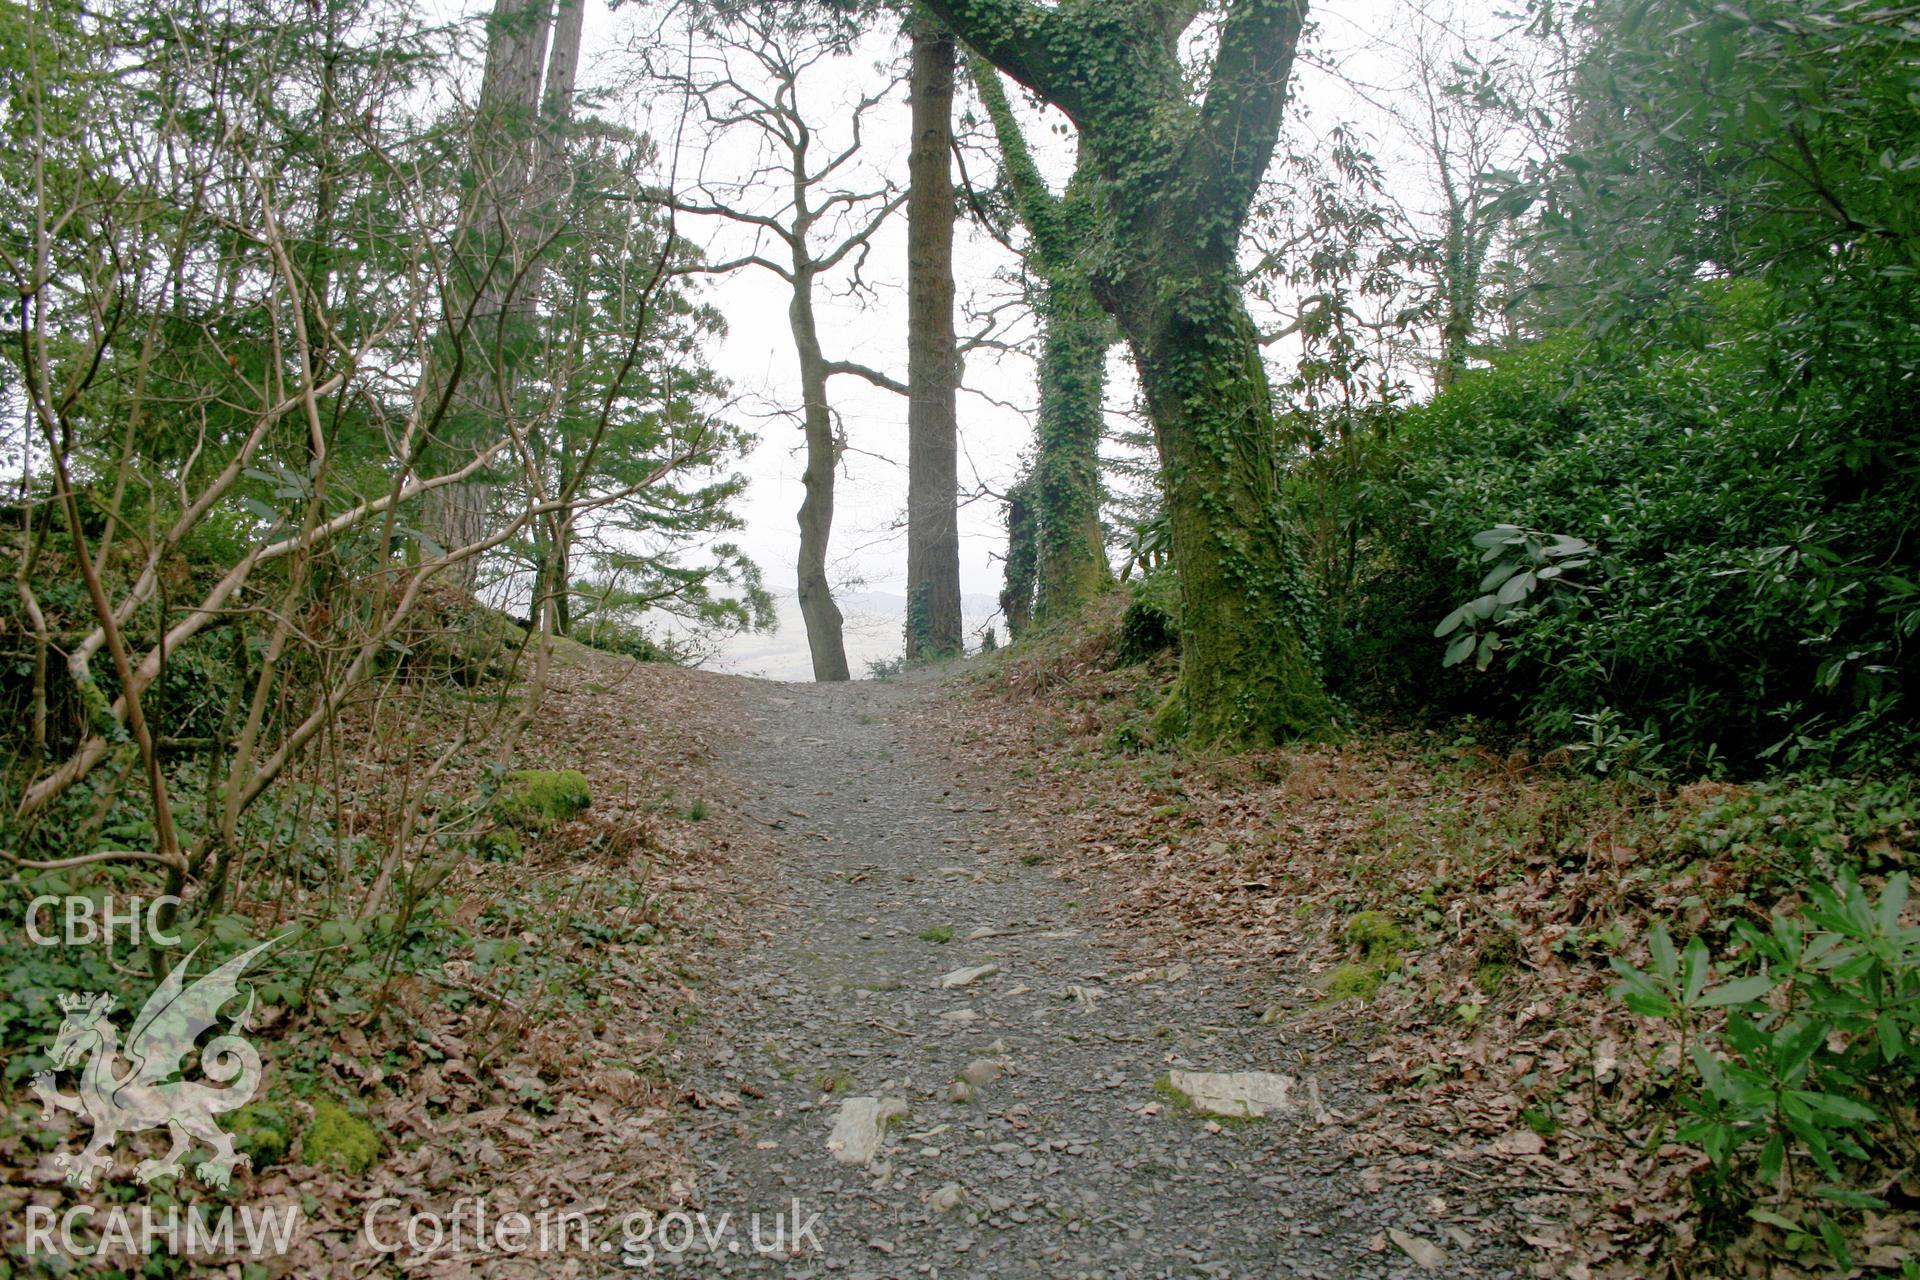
(1692,1001)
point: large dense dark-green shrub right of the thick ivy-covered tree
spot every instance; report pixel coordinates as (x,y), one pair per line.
(1752,588)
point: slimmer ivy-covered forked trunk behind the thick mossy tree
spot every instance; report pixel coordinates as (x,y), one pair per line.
(1063,500)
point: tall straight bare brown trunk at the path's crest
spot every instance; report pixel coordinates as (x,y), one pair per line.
(932,362)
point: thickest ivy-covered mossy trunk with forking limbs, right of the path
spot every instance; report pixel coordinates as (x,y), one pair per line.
(1174,189)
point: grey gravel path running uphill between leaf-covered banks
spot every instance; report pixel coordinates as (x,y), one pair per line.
(1068,1160)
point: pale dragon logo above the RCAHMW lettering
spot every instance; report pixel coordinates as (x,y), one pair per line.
(147,1095)
